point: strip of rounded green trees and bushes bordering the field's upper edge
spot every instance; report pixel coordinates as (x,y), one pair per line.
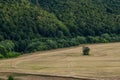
(8,48)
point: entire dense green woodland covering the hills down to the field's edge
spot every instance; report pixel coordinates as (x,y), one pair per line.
(34,25)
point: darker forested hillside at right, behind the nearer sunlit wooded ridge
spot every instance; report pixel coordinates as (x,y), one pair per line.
(85,17)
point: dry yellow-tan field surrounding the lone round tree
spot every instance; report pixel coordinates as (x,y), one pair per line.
(103,63)
